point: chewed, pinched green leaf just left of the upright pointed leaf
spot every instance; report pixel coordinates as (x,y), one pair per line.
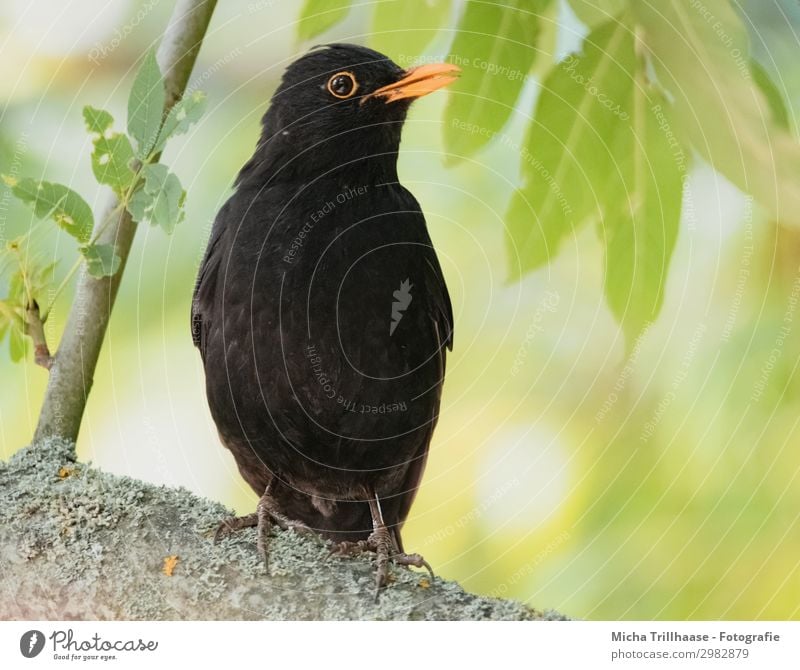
(112,155)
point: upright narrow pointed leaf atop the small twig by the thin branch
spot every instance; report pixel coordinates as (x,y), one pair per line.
(146,106)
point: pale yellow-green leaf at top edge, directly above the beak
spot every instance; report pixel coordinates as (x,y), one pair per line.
(403,28)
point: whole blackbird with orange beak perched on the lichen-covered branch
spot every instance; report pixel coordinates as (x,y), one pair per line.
(321,312)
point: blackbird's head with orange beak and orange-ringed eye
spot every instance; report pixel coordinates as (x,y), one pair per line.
(337,105)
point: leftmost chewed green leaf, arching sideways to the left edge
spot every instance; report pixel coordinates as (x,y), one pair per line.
(55,201)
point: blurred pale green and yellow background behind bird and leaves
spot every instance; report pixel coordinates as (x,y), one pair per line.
(657,481)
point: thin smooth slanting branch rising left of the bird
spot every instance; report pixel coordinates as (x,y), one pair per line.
(72,371)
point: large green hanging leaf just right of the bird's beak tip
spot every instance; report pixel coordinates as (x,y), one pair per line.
(495,46)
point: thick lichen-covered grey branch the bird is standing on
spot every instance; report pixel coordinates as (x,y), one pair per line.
(76,543)
